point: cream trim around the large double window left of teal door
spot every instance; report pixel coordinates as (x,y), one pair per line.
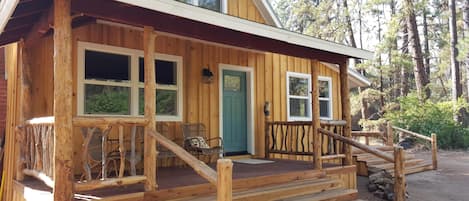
(133,84)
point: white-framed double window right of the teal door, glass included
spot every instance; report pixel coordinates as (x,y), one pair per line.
(299,97)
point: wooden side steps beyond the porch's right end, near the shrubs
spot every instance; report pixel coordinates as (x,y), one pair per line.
(367,161)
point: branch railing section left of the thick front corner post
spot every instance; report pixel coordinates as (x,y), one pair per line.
(35,139)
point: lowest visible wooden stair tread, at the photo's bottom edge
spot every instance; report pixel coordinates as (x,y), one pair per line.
(325,195)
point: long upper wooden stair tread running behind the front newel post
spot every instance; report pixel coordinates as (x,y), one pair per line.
(297,187)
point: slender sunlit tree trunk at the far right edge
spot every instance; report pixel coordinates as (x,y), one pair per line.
(456,90)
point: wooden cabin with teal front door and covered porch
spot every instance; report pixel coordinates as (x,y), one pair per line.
(108,74)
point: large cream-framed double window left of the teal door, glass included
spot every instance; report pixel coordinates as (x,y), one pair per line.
(111,82)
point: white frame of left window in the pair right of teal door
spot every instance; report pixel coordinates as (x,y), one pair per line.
(304,76)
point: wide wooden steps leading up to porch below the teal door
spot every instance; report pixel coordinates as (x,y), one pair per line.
(315,188)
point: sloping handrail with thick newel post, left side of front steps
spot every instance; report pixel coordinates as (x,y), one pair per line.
(221,179)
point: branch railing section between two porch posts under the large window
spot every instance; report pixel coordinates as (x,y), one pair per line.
(98,148)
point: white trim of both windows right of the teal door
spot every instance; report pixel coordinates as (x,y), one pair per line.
(308,77)
